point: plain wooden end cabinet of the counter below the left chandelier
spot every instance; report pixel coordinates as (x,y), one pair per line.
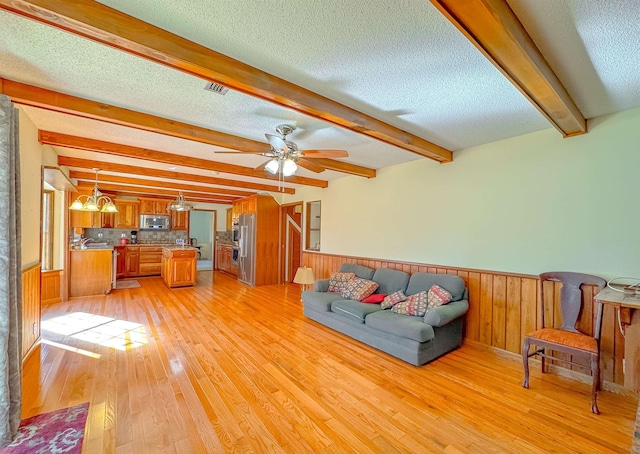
(90,272)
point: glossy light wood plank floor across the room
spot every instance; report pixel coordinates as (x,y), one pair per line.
(228,368)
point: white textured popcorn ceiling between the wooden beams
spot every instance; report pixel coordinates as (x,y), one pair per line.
(401,62)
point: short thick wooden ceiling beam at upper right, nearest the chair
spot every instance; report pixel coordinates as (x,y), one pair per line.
(492,26)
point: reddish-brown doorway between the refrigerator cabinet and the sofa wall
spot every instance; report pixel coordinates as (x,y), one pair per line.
(291,240)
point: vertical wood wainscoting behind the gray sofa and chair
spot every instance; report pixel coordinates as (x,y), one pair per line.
(503,307)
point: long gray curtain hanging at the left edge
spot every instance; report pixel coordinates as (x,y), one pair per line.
(10,274)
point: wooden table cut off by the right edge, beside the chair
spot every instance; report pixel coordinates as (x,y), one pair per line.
(628,316)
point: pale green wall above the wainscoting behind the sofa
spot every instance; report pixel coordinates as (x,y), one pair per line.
(528,204)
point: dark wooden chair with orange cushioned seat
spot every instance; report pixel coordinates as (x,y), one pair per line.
(567,338)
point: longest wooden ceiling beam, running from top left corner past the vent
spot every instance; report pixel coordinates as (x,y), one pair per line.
(92,20)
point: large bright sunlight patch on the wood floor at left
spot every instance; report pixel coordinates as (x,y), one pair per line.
(97,329)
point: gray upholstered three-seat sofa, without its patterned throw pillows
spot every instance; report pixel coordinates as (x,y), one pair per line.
(416,340)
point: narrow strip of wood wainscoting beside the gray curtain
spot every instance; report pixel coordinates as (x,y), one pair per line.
(30,308)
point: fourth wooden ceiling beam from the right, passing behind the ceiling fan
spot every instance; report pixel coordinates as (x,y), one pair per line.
(127,151)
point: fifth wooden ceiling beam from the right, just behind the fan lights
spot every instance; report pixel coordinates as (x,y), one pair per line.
(149,172)
